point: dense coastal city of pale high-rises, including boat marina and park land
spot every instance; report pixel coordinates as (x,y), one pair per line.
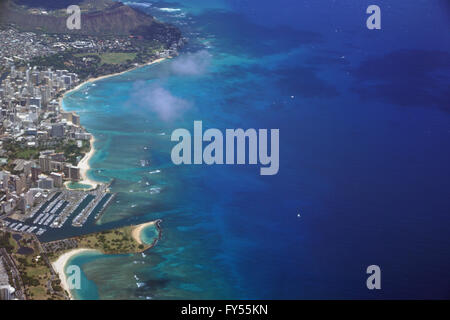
(41,145)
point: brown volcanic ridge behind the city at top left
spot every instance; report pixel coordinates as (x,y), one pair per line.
(99,17)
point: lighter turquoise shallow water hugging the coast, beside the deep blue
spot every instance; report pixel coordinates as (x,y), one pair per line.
(125,135)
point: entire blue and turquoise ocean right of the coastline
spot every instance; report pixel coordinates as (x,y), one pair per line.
(364,151)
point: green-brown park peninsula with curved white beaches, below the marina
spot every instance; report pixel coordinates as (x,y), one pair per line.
(36,270)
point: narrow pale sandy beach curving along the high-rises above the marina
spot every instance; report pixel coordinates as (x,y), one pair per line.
(84,163)
